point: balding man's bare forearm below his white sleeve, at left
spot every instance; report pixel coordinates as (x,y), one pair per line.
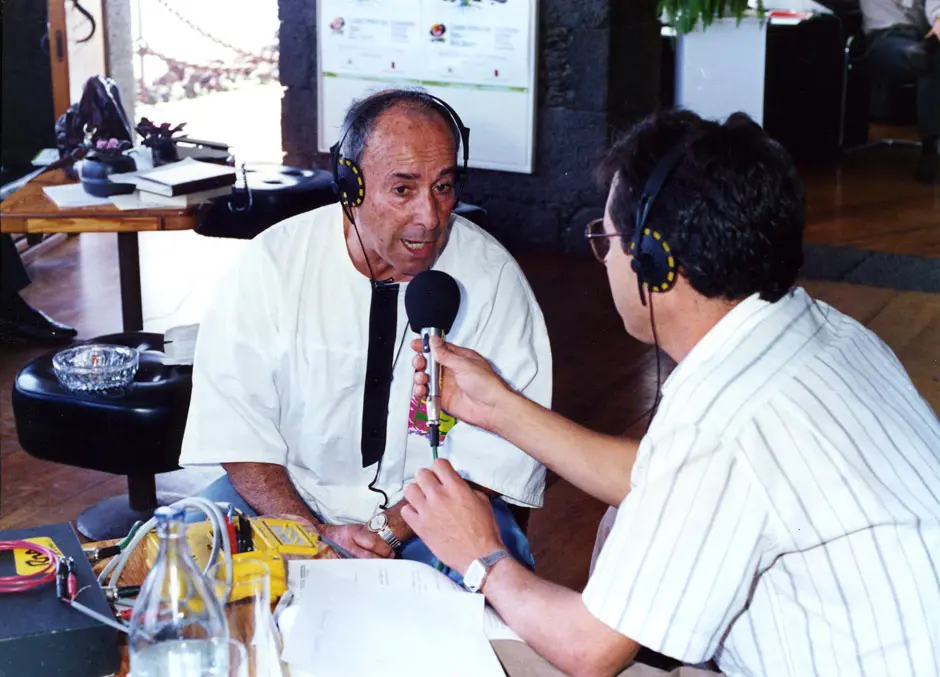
(268,489)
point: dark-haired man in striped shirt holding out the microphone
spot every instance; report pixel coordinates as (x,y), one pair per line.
(781,515)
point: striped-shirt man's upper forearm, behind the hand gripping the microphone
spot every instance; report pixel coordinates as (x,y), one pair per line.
(598,464)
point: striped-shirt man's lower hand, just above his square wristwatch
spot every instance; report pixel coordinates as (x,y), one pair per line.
(455,521)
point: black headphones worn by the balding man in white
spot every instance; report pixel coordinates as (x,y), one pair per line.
(348,182)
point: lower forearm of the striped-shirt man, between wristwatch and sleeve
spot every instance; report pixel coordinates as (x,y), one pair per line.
(554,621)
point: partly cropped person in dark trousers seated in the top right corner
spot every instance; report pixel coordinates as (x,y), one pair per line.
(903,45)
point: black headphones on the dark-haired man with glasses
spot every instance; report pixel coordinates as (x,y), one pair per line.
(653,261)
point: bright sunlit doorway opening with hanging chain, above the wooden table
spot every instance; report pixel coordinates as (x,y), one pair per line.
(212,64)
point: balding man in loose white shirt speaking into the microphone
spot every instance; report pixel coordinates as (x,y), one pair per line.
(302,381)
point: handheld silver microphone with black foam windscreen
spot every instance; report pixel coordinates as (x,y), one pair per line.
(432,300)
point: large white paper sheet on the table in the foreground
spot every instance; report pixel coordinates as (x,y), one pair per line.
(363,625)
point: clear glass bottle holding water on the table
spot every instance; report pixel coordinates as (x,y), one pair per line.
(177,628)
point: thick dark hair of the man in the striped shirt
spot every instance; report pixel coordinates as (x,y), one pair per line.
(733,209)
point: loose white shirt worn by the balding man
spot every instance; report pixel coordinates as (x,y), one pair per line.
(279,372)
